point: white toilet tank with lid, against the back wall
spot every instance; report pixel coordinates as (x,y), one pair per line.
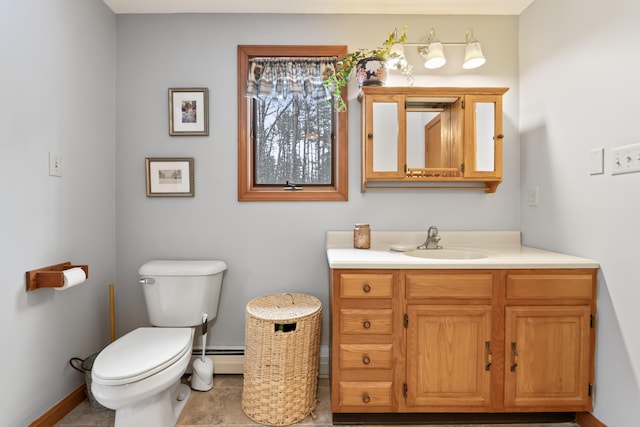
(178,292)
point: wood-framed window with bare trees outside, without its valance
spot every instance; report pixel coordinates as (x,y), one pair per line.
(301,142)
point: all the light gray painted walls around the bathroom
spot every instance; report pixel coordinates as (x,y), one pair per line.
(60,88)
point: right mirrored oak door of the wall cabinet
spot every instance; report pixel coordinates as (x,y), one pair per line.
(483,136)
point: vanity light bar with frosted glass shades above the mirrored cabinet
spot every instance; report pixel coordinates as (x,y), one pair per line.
(431,49)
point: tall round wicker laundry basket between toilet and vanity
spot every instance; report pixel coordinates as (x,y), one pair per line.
(281,358)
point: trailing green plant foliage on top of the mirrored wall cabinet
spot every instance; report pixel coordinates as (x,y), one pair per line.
(346,65)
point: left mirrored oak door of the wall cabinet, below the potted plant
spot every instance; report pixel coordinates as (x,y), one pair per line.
(384,137)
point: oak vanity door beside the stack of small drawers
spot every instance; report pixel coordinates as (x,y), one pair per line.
(448,357)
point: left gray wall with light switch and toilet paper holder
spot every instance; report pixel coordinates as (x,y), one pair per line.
(58,94)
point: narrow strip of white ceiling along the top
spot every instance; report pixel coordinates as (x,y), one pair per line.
(396,7)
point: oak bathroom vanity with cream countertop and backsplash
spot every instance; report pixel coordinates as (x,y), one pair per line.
(484,325)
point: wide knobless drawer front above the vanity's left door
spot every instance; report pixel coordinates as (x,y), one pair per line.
(442,285)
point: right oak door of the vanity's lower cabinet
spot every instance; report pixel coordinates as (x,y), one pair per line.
(547,358)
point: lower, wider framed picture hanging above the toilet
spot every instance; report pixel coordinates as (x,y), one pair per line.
(170,177)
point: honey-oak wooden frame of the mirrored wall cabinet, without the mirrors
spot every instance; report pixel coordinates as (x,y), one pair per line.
(461,173)
